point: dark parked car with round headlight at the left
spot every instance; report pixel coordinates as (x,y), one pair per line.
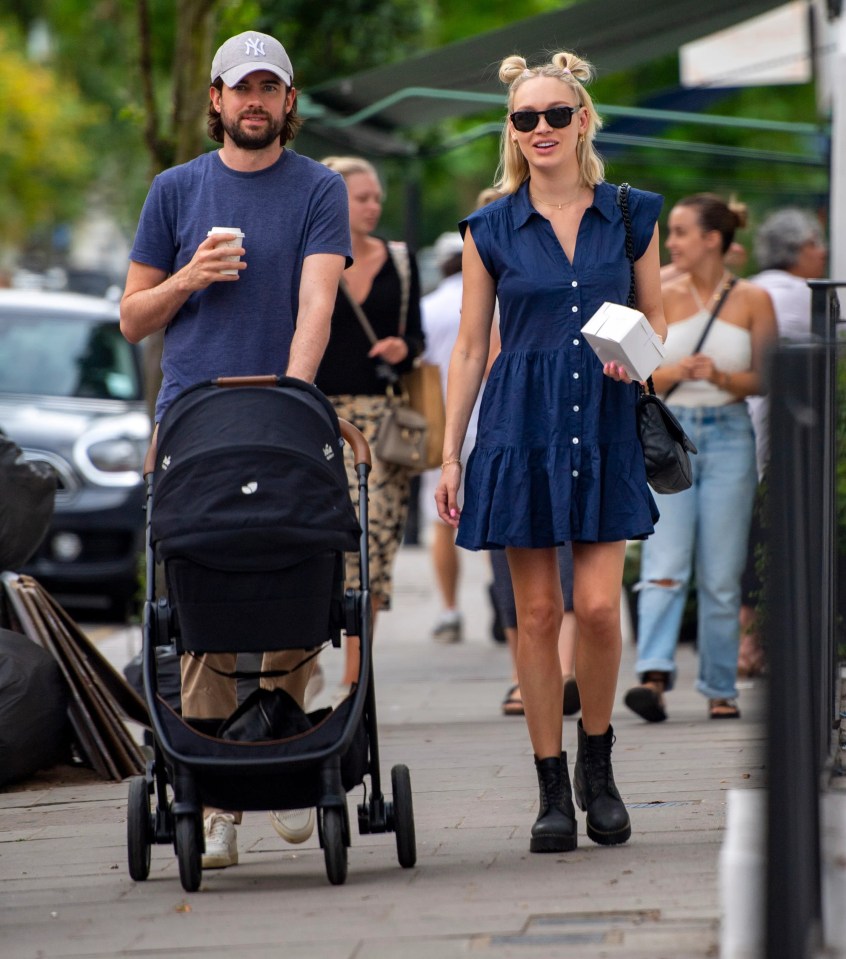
(71,394)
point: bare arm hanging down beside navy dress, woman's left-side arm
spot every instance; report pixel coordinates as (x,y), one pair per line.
(466,370)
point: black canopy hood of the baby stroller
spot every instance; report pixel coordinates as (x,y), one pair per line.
(251,478)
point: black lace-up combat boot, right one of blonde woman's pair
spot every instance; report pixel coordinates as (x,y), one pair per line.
(593,783)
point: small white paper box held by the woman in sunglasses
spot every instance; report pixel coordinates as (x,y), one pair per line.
(621,335)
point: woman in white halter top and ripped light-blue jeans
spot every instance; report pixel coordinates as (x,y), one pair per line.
(707,525)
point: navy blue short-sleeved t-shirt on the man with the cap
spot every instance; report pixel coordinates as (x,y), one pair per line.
(288,211)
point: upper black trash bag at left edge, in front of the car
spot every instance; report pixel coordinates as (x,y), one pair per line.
(27,497)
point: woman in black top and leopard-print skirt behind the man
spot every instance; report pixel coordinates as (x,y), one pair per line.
(356,374)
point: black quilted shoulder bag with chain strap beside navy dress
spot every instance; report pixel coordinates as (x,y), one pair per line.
(666,446)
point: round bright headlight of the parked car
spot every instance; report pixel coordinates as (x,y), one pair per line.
(112,453)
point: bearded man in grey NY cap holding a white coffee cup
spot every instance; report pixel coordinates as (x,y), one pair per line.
(267,313)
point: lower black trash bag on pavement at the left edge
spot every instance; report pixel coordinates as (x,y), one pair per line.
(34,725)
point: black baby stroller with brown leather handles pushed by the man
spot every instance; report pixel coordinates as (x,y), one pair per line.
(248,508)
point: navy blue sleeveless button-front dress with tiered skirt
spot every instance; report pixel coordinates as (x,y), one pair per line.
(557,457)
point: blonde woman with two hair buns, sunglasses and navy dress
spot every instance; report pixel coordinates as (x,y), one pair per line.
(557,457)
